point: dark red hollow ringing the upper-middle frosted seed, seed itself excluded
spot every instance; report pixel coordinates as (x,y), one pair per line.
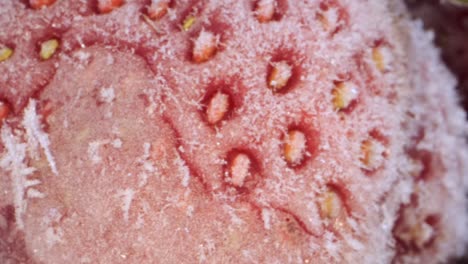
(294,59)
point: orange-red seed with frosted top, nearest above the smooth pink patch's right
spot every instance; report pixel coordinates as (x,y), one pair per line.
(204,46)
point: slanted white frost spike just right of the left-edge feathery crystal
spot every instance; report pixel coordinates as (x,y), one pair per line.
(31,123)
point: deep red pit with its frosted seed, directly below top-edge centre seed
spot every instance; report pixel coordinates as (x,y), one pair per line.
(283,72)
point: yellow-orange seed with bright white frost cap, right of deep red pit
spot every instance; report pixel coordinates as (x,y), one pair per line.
(345,96)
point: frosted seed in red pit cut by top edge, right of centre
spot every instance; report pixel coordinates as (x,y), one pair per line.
(269,10)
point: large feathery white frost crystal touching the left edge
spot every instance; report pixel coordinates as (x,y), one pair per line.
(13,162)
